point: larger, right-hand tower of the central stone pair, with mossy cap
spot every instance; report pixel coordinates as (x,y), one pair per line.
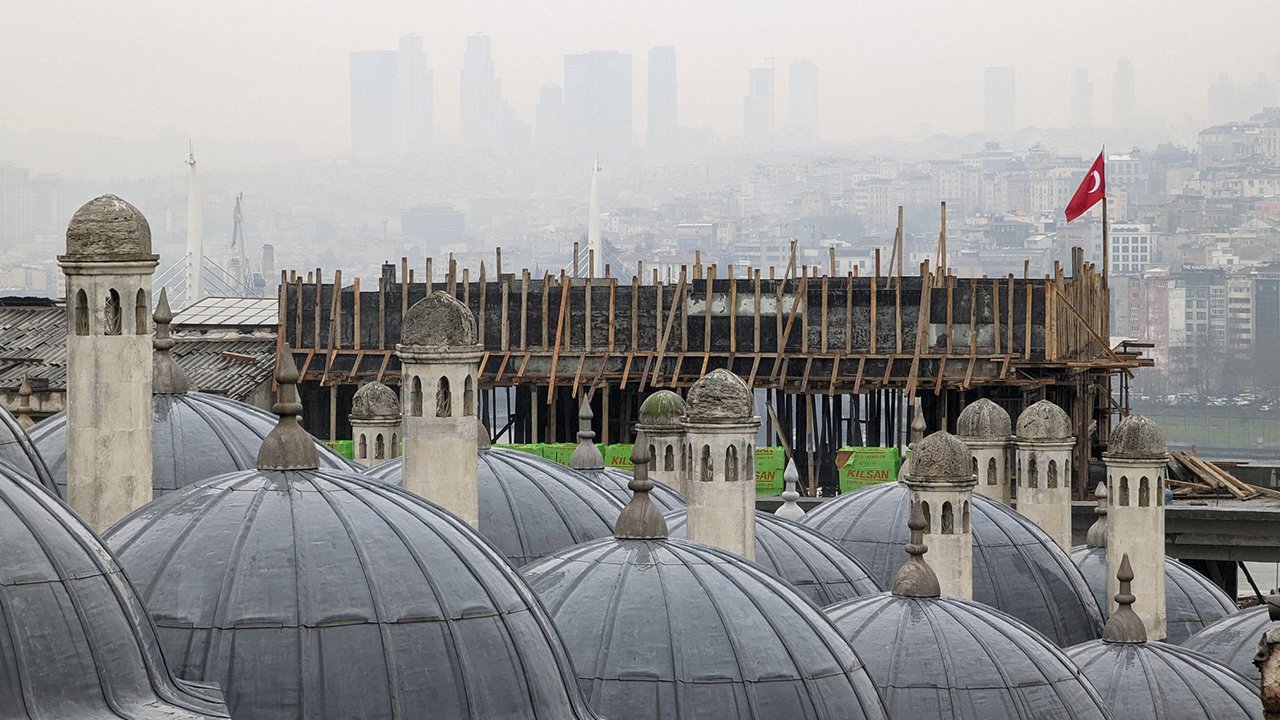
(720,463)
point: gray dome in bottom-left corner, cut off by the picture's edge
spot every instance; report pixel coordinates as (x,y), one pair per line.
(77,644)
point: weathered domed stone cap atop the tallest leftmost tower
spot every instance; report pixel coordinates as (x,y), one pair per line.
(108,229)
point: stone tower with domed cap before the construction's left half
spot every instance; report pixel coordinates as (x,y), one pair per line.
(440,356)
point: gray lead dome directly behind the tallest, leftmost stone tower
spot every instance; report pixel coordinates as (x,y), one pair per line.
(195,436)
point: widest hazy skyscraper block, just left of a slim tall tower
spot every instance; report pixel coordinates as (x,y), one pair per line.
(598,102)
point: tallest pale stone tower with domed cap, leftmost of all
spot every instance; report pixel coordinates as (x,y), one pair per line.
(108,267)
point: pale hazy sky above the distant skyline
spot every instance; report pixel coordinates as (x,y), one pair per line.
(278,69)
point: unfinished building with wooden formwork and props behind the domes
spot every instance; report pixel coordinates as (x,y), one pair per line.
(836,361)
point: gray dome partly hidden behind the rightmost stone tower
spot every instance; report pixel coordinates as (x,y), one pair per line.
(1191,600)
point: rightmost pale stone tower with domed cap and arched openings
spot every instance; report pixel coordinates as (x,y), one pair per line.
(1136,462)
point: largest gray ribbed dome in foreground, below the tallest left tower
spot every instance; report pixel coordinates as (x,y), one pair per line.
(324,595)
